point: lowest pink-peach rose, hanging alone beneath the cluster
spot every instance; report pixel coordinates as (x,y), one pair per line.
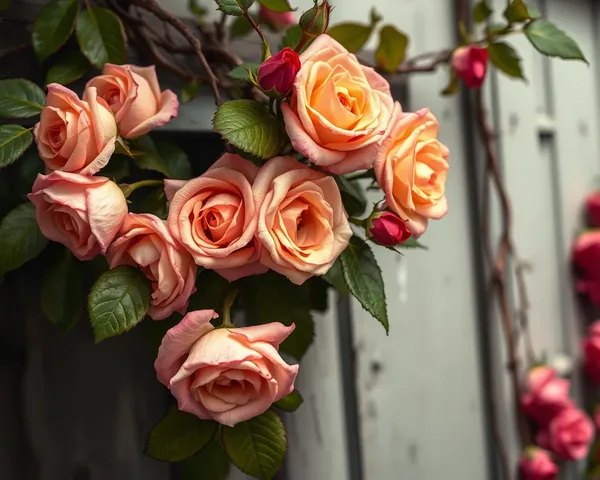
(227,374)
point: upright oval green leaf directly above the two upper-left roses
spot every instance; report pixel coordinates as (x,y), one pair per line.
(101,37)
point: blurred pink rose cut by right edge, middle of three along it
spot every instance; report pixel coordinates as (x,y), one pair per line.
(586,257)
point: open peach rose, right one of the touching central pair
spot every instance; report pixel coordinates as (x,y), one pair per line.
(302,223)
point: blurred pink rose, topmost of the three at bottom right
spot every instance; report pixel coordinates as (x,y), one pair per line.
(546,396)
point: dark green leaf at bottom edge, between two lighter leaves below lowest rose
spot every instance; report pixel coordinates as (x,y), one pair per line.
(210,463)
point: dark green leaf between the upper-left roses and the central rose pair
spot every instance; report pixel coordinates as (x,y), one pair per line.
(162,157)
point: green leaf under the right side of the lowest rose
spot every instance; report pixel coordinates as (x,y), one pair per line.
(257,446)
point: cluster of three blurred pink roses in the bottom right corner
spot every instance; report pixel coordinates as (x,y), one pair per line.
(562,429)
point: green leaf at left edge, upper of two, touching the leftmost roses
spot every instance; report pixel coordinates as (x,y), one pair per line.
(20,98)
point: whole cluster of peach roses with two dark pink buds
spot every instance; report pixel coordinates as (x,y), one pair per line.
(237,218)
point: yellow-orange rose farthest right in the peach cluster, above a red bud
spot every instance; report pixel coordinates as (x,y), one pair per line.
(412,167)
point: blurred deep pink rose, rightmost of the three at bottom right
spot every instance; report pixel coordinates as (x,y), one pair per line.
(568,435)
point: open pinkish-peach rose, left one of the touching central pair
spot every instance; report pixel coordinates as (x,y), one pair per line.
(214,217)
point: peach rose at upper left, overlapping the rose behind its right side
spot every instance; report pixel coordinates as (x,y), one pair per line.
(73,135)
